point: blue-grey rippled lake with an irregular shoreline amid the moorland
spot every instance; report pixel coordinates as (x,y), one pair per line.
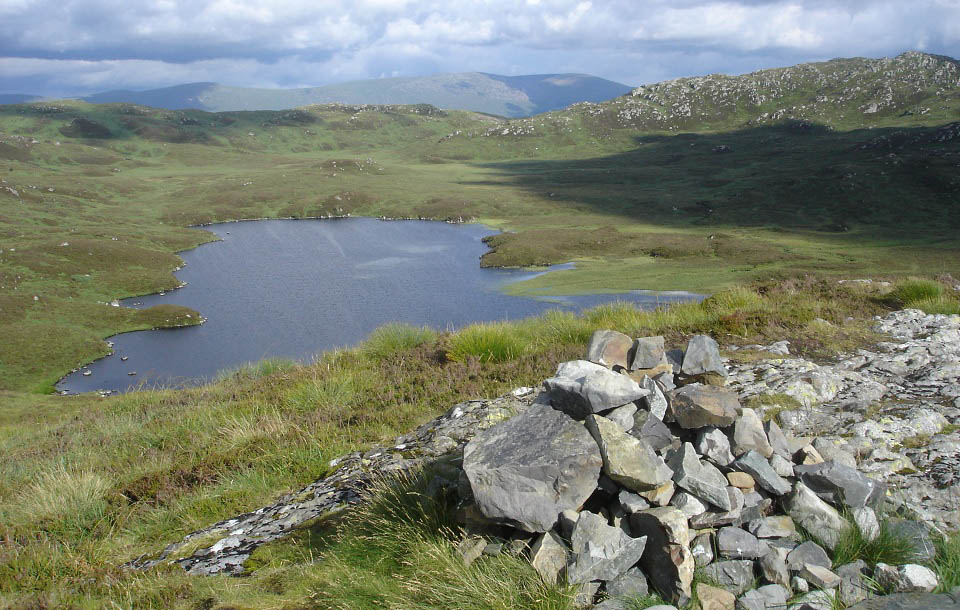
(293,288)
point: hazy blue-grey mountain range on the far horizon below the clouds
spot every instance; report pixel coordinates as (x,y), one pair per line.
(510,96)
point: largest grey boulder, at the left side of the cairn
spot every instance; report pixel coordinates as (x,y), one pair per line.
(528,469)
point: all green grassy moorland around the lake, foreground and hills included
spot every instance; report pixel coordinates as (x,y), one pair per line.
(96,200)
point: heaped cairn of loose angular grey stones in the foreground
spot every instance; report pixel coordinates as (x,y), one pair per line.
(637,466)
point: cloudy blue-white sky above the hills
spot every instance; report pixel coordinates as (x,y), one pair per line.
(77,47)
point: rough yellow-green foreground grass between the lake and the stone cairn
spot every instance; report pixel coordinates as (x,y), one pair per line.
(138,471)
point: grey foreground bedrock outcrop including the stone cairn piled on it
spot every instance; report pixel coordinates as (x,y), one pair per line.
(639,464)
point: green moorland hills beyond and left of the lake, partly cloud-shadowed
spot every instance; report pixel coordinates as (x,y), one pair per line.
(670,203)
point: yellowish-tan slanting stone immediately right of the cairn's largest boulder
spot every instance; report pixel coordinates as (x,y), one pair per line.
(629,461)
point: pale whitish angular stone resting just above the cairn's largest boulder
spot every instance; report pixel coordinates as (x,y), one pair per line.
(580,388)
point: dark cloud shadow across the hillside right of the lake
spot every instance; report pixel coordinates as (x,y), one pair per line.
(886,183)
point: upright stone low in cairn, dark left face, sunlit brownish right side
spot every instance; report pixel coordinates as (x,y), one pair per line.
(667,561)
